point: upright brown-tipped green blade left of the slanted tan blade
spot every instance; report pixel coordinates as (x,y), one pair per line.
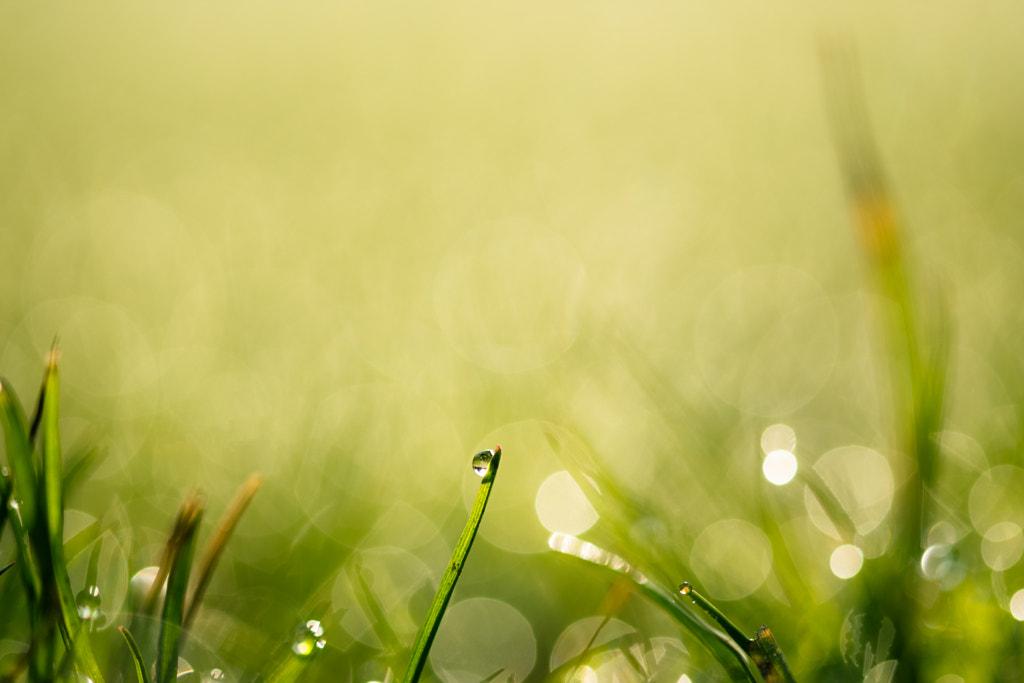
(182,546)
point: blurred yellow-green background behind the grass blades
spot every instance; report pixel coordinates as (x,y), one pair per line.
(348,245)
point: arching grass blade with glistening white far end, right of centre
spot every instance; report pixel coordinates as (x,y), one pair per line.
(729,654)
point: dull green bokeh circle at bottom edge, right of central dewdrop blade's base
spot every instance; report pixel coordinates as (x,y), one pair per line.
(480,636)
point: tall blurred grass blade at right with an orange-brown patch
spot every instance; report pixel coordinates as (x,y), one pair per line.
(918,363)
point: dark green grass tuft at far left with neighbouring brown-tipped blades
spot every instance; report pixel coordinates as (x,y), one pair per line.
(33,496)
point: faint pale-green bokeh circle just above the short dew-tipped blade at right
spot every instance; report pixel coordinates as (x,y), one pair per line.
(732,559)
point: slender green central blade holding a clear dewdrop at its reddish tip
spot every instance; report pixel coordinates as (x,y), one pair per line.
(485,463)
